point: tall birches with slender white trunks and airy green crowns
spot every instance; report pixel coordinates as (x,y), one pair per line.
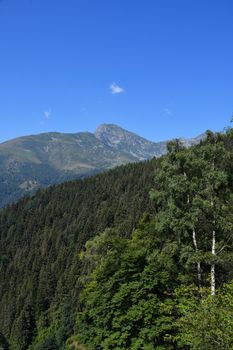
(193,189)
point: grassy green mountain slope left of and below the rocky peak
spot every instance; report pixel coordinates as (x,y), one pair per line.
(31,162)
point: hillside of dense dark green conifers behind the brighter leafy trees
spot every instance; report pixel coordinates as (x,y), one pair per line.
(41,238)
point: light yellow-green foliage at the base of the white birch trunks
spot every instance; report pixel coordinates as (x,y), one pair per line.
(205,322)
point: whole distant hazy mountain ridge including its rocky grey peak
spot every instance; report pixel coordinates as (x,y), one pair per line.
(31,162)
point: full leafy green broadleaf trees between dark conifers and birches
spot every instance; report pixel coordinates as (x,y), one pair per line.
(126,301)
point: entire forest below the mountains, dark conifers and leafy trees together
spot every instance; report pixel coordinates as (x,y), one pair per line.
(139,257)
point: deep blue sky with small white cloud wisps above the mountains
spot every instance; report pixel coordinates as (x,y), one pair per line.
(169,62)
